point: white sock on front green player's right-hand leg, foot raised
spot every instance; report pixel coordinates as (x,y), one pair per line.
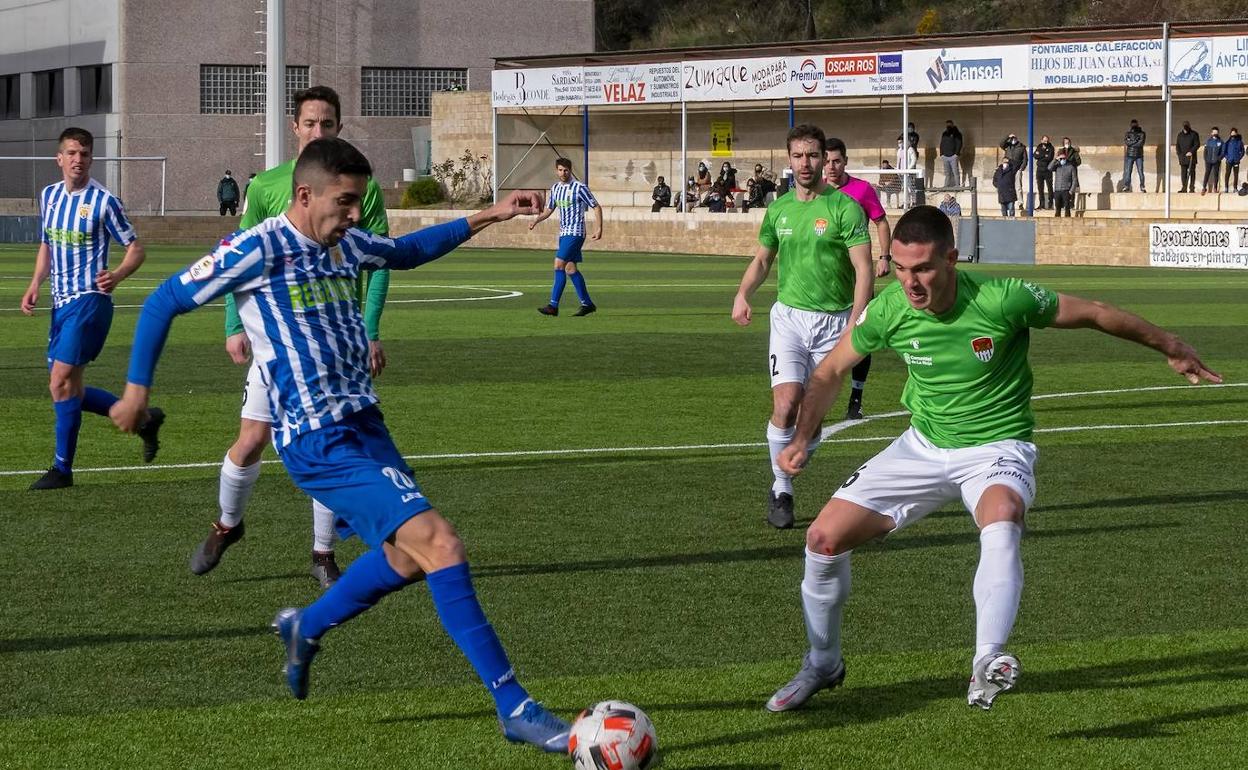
(998,587)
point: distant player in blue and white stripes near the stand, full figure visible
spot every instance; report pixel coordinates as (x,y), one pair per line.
(572,198)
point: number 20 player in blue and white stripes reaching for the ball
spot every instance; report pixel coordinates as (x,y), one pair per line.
(294,278)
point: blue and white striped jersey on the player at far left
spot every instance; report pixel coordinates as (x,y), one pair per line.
(77,230)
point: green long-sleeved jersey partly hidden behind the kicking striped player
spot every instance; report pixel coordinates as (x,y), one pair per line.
(270,195)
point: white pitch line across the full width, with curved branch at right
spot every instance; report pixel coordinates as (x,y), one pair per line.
(828,432)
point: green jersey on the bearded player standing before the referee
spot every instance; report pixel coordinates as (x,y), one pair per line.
(813,240)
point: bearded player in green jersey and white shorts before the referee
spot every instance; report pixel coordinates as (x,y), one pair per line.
(818,239)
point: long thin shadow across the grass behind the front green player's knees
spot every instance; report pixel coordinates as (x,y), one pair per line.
(791,551)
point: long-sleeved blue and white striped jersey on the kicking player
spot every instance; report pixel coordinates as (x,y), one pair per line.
(300,308)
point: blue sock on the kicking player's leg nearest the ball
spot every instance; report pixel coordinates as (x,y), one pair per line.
(456,602)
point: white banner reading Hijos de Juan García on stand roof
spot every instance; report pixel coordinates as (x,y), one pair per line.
(1095,66)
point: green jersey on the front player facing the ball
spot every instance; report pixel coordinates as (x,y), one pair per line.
(970,383)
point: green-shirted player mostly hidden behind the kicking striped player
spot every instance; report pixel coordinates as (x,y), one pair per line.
(318,115)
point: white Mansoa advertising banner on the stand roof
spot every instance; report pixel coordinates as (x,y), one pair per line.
(982,69)
